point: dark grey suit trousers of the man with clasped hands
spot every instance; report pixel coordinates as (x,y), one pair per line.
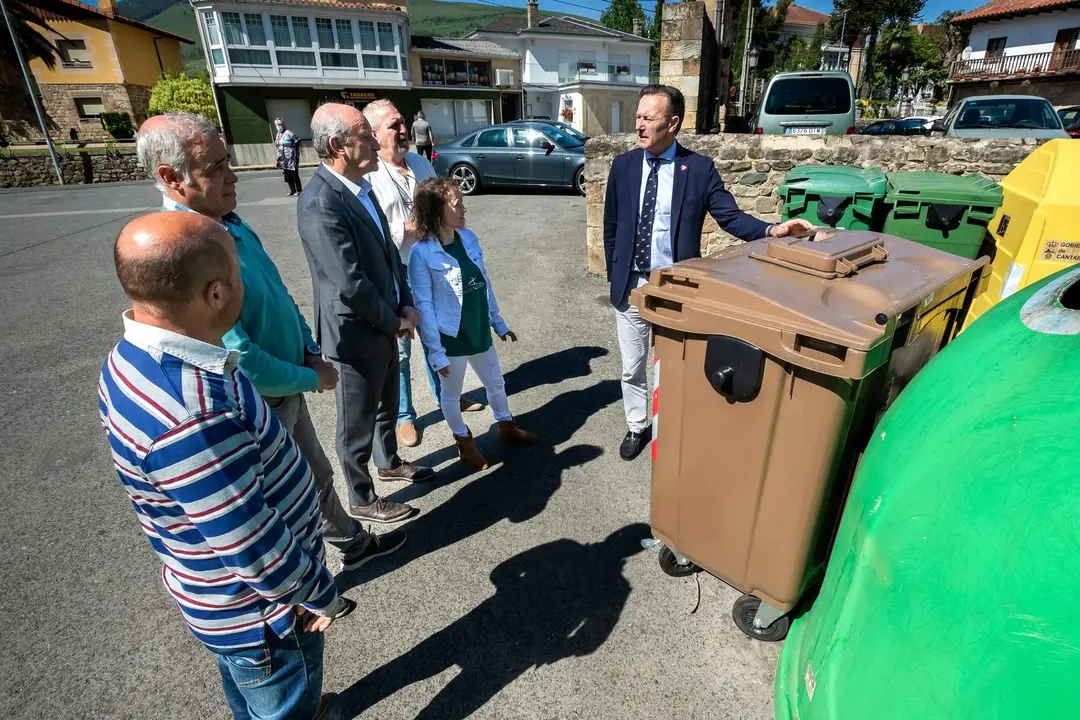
(368,398)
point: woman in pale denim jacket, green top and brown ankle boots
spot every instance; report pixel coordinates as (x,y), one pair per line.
(453,292)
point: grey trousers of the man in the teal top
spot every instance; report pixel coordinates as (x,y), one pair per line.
(341,531)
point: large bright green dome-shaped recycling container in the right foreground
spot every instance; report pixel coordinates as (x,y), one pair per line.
(952,588)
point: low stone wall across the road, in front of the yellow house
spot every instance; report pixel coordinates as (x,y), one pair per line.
(78,169)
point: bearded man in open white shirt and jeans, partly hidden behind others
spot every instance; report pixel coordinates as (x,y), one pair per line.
(395,185)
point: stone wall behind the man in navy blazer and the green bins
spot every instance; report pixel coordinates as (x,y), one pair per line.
(753,167)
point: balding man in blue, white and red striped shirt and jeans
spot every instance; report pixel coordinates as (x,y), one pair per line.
(224,495)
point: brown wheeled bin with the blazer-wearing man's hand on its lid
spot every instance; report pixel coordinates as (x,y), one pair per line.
(774,362)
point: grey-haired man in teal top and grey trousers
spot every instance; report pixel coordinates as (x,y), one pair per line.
(187,159)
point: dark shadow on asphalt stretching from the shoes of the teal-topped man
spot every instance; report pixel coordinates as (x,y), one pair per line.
(518,490)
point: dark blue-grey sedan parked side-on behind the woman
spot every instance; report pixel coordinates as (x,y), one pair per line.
(531,155)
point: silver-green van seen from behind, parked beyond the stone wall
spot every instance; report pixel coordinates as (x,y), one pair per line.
(808,104)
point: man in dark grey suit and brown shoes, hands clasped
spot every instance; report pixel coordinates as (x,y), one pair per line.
(362,306)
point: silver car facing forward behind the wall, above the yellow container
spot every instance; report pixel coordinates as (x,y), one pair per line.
(1003,116)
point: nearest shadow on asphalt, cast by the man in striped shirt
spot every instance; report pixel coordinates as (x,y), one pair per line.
(555,602)
